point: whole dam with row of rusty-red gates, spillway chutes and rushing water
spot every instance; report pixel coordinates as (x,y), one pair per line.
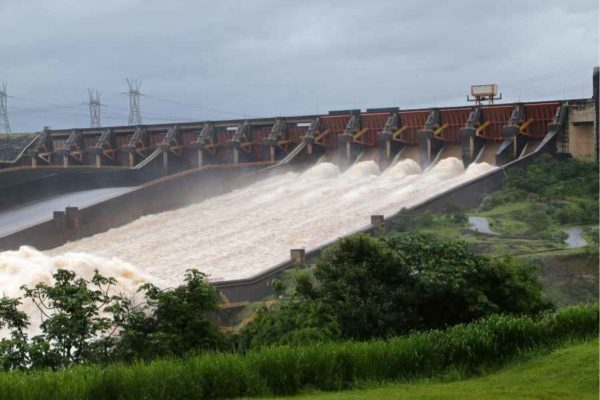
(236,198)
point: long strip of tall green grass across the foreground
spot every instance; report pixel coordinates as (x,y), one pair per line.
(326,366)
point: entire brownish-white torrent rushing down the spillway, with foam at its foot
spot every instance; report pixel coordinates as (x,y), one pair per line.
(240,233)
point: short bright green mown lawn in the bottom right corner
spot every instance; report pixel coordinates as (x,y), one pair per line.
(570,372)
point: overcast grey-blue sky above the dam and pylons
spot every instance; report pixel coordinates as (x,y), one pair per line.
(267,58)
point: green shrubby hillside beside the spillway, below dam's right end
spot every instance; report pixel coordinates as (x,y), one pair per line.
(525,223)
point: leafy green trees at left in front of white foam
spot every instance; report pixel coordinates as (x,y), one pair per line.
(84,323)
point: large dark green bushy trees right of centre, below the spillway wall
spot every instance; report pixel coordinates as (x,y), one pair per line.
(365,287)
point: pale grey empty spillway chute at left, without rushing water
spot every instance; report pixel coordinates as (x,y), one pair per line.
(21,217)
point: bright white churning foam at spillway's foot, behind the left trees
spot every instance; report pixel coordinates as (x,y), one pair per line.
(28,266)
